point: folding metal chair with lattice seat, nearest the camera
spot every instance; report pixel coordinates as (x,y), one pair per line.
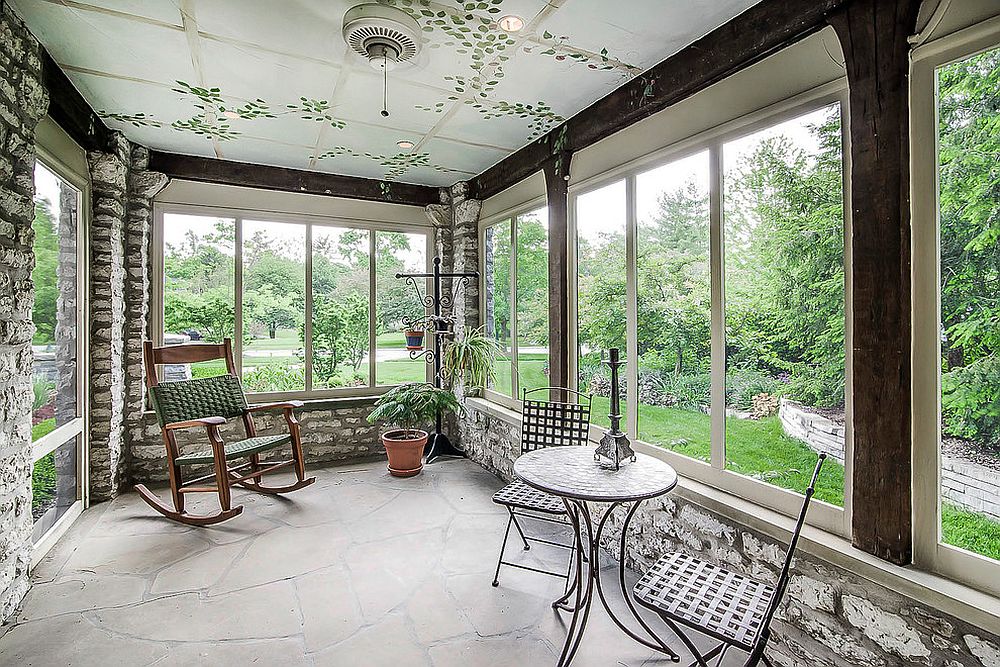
(727,606)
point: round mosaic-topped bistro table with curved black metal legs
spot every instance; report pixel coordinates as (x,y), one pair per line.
(572,474)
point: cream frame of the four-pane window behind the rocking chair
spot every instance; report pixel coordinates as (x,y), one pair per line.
(308,221)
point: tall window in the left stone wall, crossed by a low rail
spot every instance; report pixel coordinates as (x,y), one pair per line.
(56,411)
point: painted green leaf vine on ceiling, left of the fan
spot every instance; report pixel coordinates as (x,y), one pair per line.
(212,104)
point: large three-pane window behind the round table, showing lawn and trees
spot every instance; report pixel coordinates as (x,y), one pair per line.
(720,270)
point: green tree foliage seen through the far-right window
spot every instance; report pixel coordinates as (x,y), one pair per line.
(969,142)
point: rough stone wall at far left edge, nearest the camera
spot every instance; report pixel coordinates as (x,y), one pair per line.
(23,102)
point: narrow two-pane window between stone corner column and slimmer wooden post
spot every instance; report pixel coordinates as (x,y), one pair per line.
(516,300)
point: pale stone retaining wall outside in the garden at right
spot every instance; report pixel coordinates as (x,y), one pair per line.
(964,482)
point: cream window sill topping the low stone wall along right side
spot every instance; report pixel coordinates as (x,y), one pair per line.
(933,590)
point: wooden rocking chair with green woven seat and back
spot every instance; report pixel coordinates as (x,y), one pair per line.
(208,403)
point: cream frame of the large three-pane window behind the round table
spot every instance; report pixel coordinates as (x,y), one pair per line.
(826,516)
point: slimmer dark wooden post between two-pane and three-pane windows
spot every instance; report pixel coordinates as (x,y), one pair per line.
(556,172)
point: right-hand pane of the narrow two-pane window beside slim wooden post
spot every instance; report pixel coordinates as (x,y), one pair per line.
(532,284)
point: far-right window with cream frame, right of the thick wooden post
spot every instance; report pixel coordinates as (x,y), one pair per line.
(956,319)
